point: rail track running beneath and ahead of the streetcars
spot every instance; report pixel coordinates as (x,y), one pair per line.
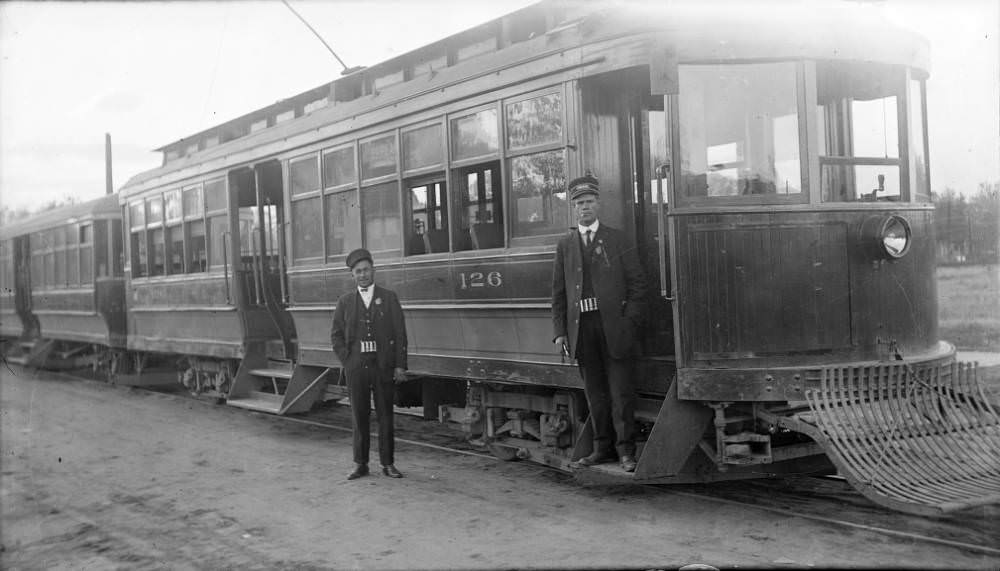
(809,497)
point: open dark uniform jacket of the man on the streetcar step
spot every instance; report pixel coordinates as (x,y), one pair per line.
(617,281)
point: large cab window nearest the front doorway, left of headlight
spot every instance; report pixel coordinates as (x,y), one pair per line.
(739,130)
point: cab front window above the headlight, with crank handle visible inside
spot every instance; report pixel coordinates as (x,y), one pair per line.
(858,109)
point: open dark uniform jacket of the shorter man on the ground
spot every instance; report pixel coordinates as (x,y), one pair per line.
(390,328)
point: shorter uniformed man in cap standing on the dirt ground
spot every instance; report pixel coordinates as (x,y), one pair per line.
(369,337)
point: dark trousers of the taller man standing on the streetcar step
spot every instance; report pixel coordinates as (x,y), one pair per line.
(610,389)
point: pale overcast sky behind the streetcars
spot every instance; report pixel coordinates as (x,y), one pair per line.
(152,73)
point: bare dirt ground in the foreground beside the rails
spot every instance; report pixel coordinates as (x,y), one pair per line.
(102,477)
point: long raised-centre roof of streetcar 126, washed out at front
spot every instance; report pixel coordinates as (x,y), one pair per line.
(692,32)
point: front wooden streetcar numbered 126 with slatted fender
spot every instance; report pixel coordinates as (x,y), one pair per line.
(771,169)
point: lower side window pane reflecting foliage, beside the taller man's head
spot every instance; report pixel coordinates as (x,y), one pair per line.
(538,194)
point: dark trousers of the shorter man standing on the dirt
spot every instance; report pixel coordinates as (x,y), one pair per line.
(363,380)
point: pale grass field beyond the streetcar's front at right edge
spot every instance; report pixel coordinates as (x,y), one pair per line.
(969,306)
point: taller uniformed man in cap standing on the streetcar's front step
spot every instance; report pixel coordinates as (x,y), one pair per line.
(597,303)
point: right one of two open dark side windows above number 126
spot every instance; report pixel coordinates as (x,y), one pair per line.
(480,207)
